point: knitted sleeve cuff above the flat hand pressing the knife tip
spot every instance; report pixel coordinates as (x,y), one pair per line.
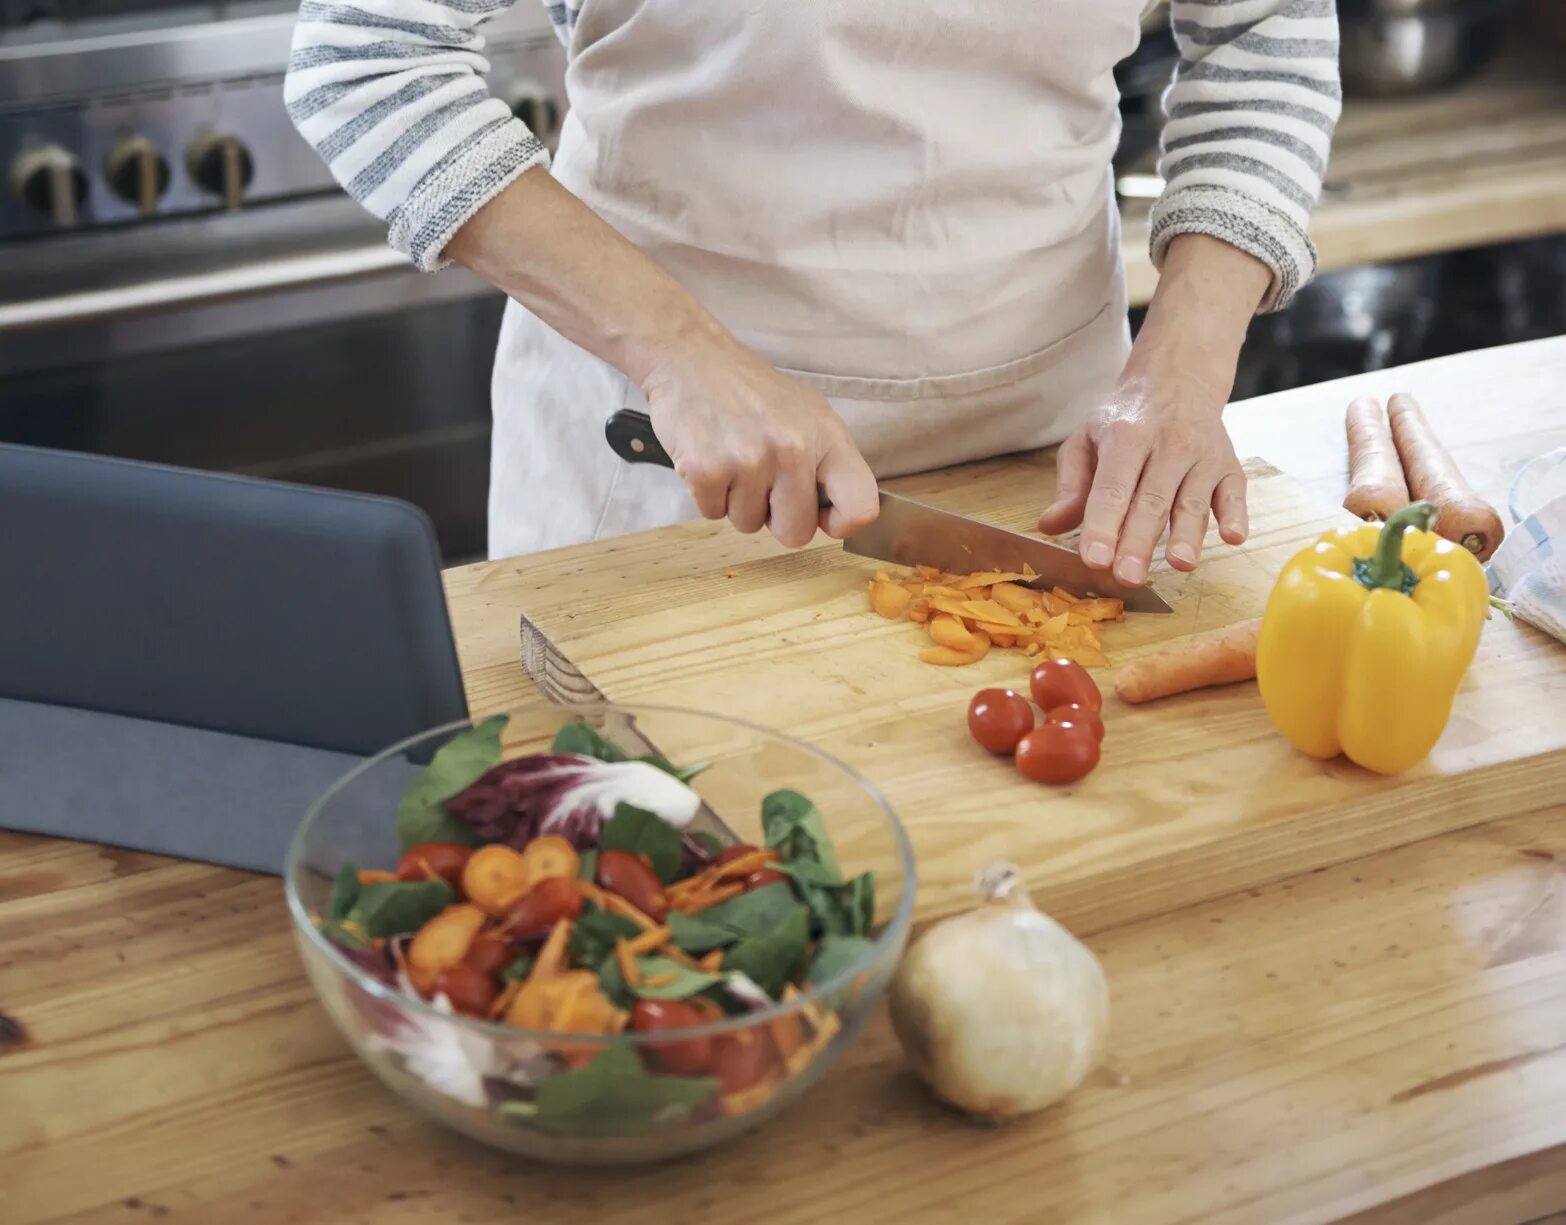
(1246,223)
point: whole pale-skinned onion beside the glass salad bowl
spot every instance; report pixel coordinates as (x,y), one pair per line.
(1001,1010)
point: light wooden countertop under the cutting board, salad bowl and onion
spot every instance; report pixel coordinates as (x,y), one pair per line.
(1382,1041)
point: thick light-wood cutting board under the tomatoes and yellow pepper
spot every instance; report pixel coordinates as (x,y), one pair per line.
(1196,797)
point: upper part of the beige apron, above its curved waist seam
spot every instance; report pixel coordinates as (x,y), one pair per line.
(884,189)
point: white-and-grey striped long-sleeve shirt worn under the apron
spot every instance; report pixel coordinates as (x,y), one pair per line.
(392,95)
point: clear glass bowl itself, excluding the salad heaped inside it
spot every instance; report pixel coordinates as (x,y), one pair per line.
(605,1099)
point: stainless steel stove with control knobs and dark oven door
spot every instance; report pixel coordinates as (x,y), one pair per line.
(182,281)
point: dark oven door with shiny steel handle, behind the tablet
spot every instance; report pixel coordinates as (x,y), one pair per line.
(306,352)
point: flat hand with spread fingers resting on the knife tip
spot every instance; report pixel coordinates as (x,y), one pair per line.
(1153,457)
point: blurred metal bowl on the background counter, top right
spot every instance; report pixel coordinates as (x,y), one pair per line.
(1398,48)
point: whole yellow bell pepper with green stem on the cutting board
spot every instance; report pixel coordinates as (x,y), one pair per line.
(1366,638)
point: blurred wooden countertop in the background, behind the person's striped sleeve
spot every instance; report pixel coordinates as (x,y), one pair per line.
(1482,164)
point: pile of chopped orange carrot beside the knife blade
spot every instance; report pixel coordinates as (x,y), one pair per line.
(969,615)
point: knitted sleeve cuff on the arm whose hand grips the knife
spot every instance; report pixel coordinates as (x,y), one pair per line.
(458,189)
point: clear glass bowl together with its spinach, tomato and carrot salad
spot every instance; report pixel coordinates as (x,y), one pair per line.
(601,934)
